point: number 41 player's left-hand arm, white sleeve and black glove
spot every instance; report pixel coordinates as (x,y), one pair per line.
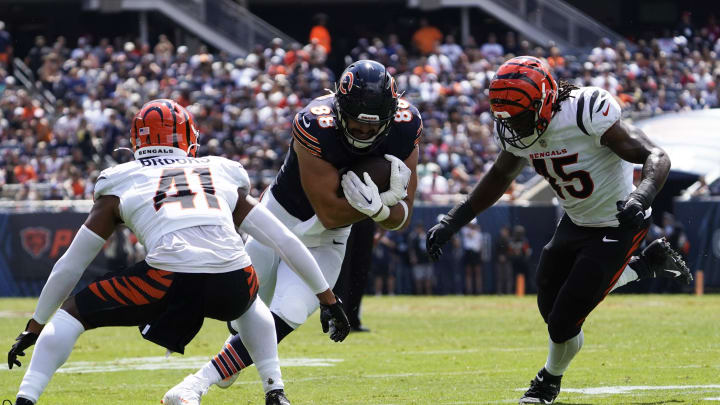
(67,271)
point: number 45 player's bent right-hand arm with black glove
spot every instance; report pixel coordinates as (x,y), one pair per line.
(632,145)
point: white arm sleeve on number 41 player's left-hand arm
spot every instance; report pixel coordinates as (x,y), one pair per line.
(66,272)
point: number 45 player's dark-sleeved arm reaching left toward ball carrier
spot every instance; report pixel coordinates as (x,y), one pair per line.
(490,188)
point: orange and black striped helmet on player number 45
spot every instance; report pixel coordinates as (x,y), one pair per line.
(522,95)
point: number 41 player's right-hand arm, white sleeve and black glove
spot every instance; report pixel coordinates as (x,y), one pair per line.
(261,224)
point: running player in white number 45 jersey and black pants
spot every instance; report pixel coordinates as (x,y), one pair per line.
(575,139)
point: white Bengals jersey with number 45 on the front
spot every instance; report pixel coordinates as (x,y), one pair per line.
(587,177)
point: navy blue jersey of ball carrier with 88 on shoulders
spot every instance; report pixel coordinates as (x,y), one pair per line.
(316,128)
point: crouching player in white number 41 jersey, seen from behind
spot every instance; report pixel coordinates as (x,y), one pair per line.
(185,210)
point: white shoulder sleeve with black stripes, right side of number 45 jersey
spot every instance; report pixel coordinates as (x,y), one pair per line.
(597,111)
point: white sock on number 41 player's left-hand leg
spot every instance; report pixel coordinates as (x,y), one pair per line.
(52,348)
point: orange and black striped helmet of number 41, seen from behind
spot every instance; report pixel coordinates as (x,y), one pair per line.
(163,122)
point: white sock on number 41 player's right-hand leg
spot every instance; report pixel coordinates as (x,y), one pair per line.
(256,328)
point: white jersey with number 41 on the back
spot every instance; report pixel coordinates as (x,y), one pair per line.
(180,209)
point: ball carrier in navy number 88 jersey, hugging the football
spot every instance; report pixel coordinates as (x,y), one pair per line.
(365,116)
